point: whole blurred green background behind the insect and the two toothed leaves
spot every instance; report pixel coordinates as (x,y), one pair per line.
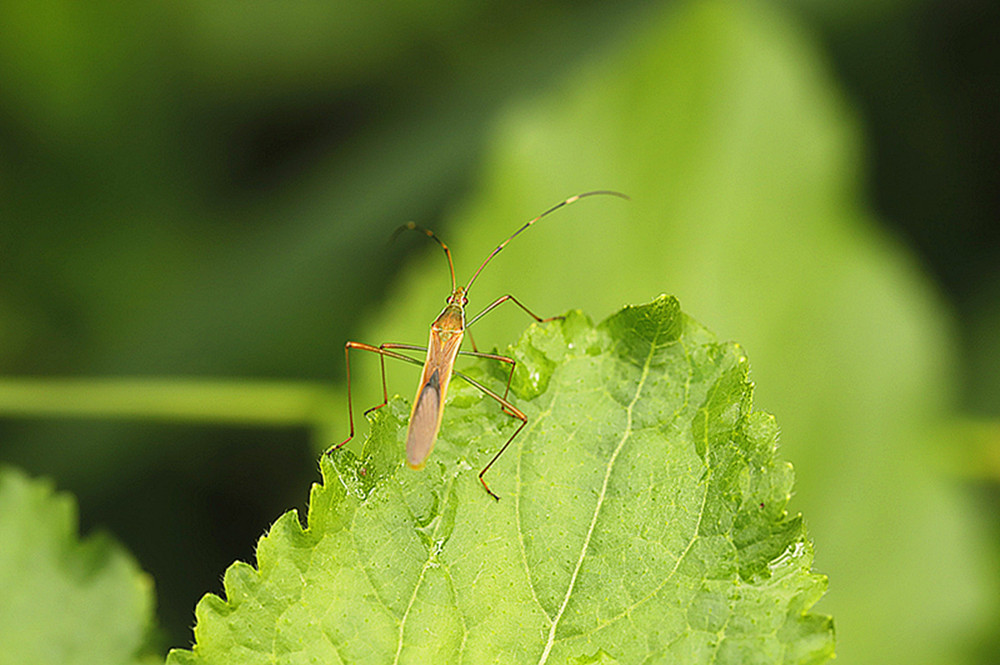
(195,200)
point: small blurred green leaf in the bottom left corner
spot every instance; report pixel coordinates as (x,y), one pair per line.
(62,600)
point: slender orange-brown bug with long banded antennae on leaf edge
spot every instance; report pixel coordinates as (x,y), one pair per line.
(447,333)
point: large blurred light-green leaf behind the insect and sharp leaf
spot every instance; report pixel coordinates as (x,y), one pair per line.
(744,167)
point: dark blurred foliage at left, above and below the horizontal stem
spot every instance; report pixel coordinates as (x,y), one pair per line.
(158,222)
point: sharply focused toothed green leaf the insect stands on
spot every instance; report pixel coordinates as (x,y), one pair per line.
(642,518)
